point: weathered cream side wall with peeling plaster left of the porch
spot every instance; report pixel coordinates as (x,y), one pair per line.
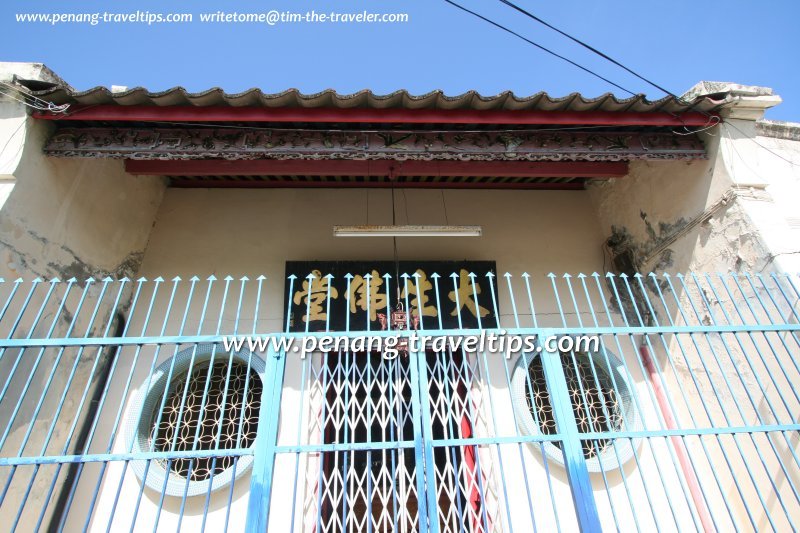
(66,219)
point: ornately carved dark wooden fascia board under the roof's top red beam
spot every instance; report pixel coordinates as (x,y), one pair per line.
(231,143)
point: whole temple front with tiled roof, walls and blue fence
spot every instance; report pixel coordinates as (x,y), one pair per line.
(364,312)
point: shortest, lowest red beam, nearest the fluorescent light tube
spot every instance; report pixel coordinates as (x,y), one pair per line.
(190,183)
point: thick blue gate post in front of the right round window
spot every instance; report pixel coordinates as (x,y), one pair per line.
(571,445)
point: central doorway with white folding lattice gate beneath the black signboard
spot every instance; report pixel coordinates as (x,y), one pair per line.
(374,487)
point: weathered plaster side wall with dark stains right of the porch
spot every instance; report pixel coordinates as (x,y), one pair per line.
(735,213)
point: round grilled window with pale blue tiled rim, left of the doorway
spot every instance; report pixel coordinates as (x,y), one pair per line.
(187,422)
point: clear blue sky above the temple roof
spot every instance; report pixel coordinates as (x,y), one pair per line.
(674,43)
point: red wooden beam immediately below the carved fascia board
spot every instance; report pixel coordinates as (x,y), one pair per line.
(300,167)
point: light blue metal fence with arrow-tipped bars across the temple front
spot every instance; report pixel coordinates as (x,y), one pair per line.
(739,372)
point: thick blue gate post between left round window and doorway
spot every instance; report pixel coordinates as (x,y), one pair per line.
(266,440)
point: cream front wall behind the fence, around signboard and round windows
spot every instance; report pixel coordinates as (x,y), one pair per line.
(220,232)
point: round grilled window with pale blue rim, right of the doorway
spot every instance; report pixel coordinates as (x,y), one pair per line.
(600,398)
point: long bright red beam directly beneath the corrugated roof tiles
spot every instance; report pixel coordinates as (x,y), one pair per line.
(137,113)
